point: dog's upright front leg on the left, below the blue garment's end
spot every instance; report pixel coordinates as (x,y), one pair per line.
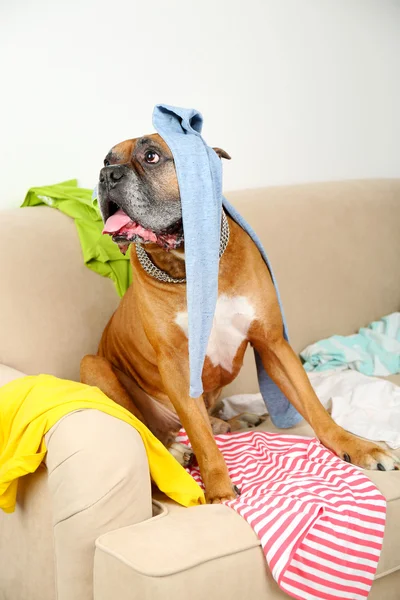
(194,418)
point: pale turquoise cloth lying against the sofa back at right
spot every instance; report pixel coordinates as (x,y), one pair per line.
(374,350)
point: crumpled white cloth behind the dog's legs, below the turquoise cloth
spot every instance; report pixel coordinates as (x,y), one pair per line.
(366,406)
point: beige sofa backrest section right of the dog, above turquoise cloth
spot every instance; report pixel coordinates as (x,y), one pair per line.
(335,251)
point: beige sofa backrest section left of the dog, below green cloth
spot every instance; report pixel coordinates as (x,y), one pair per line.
(52,307)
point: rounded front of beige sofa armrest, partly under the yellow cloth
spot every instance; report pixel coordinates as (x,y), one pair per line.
(99,480)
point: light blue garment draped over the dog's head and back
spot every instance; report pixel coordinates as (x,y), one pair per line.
(199,173)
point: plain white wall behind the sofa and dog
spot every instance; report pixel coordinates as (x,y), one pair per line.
(295,90)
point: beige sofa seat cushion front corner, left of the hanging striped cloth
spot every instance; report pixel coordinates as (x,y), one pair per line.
(206,551)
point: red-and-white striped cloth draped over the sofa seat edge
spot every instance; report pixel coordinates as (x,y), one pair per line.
(320,520)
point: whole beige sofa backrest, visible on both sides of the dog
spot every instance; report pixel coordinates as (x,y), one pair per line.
(334,247)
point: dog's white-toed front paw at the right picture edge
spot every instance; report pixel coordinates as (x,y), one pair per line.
(366,455)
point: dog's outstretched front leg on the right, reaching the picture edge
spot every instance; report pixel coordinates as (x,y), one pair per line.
(286,370)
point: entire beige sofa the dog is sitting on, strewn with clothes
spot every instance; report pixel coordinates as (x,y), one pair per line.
(87,524)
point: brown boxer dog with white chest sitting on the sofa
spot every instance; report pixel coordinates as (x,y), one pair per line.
(142,361)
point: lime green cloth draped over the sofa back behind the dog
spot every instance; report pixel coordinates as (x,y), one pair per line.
(100,253)
